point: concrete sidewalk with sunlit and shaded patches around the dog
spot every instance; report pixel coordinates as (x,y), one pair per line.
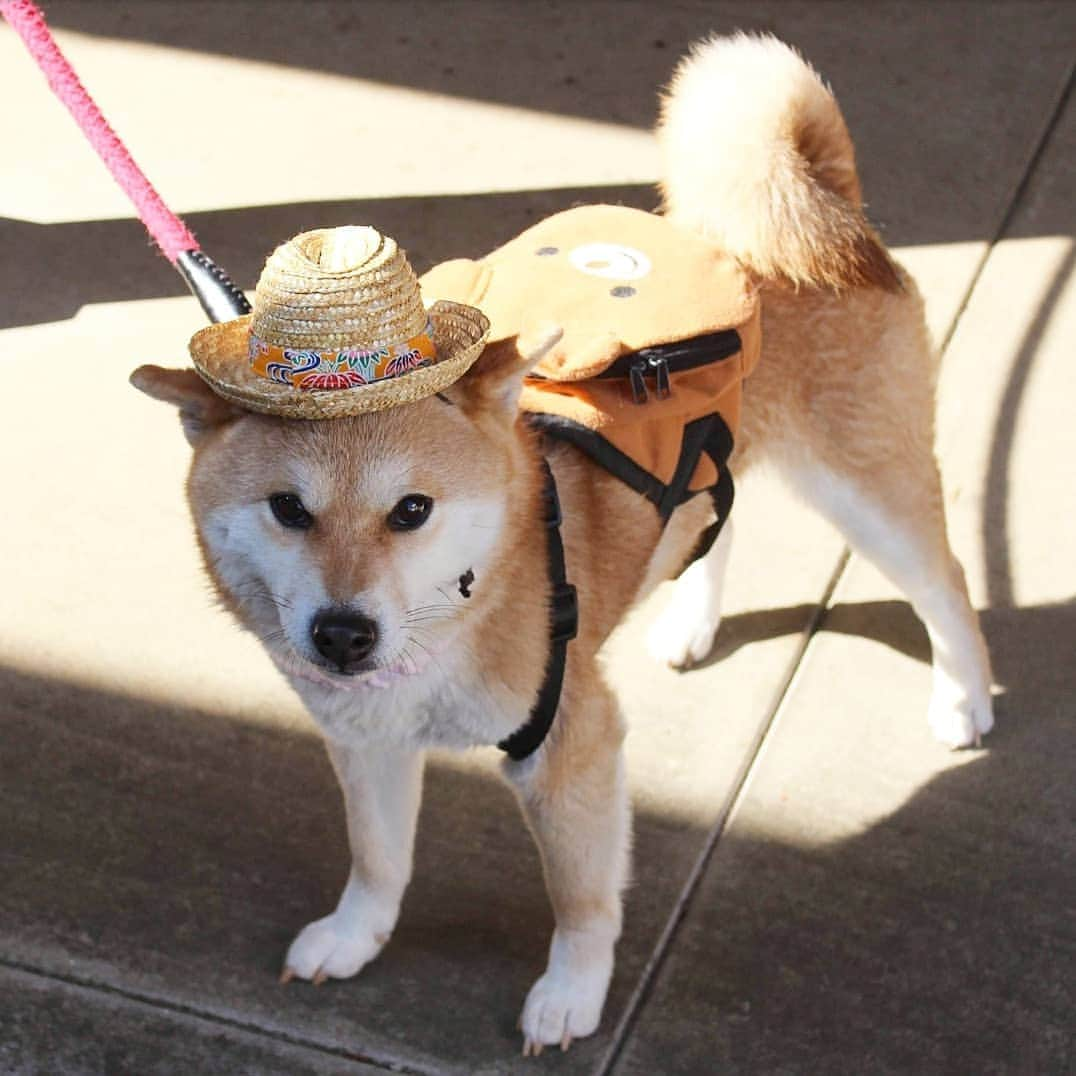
(819,887)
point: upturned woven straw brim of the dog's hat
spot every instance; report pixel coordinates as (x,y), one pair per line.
(220,356)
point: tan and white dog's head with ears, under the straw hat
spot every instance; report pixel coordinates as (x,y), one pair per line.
(351,547)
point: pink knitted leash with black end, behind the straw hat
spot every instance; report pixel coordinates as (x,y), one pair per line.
(211,286)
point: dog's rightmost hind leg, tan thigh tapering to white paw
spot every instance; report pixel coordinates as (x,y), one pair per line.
(890,511)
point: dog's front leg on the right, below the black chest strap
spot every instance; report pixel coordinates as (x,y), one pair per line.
(575,800)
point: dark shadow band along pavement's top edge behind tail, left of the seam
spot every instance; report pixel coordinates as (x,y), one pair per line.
(924,166)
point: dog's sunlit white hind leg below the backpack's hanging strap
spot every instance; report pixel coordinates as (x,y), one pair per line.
(684,632)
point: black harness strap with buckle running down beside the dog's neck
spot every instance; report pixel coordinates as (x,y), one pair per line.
(564,624)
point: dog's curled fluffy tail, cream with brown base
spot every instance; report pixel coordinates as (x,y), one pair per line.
(758,158)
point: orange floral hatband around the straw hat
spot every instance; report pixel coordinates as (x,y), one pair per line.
(345,369)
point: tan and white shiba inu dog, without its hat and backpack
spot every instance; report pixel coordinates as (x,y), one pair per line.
(393,564)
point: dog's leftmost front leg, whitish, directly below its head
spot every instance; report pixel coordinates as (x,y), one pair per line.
(383,788)
